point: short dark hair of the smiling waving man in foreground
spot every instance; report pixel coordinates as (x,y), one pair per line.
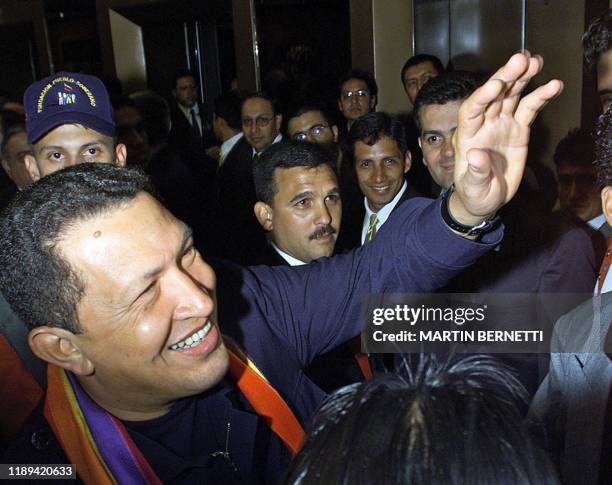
(35,278)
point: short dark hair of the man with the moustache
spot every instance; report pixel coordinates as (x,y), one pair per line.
(287,154)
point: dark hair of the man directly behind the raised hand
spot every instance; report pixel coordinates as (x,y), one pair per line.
(450,86)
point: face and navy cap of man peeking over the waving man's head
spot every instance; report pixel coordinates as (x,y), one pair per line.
(69,120)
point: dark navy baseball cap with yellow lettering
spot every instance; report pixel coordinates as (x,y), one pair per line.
(65,98)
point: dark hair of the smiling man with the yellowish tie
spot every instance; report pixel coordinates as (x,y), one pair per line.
(372,127)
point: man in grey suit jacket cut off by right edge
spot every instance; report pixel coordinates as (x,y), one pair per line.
(574,400)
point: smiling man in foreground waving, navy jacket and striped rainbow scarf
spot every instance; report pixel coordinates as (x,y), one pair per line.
(129,316)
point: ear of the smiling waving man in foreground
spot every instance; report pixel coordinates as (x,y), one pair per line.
(59,347)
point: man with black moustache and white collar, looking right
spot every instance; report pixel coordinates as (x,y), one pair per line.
(298,202)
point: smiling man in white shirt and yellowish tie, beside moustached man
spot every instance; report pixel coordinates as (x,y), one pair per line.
(380,156)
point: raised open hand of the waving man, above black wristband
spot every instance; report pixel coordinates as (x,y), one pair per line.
(492,137)
